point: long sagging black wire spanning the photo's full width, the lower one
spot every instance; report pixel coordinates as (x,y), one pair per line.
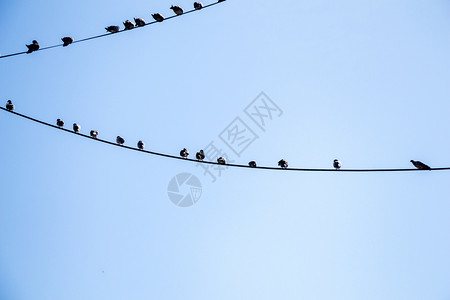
(215,163)
